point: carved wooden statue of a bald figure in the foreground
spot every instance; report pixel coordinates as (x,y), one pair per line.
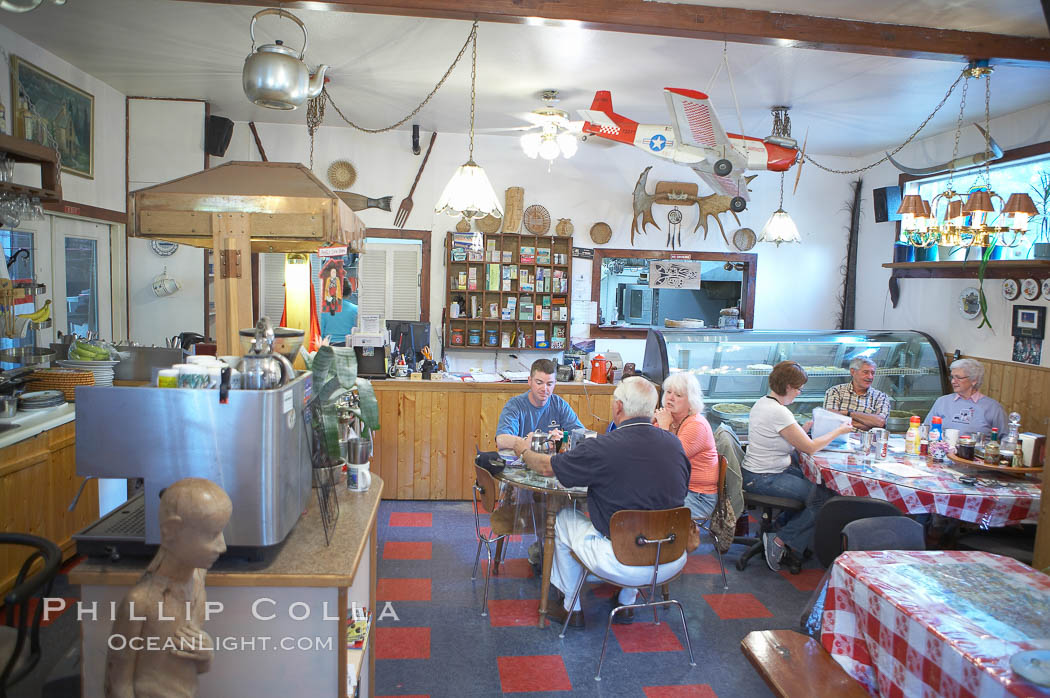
(161,621)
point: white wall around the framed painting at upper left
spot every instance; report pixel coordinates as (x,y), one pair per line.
(107,191)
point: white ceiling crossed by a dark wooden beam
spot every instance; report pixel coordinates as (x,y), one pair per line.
(383,67)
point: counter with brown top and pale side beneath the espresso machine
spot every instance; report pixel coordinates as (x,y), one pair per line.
(268,600)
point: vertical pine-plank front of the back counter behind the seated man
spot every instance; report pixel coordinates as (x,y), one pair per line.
(429,431)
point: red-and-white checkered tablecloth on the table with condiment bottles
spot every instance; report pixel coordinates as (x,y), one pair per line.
(1014,501)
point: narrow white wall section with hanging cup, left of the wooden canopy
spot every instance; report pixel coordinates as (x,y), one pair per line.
(165,142)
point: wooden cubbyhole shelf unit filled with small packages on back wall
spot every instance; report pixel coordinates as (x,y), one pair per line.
(510,268)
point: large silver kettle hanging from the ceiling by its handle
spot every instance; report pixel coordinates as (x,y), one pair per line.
(275,76)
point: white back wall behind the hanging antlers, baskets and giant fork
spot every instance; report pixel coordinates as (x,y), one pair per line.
(596,185)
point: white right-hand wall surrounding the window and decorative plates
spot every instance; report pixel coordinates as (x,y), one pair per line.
(933,305)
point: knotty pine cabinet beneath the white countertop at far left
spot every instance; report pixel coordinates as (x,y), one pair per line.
(38,481)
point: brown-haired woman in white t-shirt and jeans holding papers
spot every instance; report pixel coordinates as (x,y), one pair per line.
(773,434)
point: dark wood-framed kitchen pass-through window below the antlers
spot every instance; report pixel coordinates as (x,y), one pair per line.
(635,294)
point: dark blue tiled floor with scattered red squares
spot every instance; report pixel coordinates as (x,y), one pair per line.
(440,645)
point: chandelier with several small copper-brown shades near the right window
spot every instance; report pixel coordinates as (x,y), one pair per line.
(951,220)
